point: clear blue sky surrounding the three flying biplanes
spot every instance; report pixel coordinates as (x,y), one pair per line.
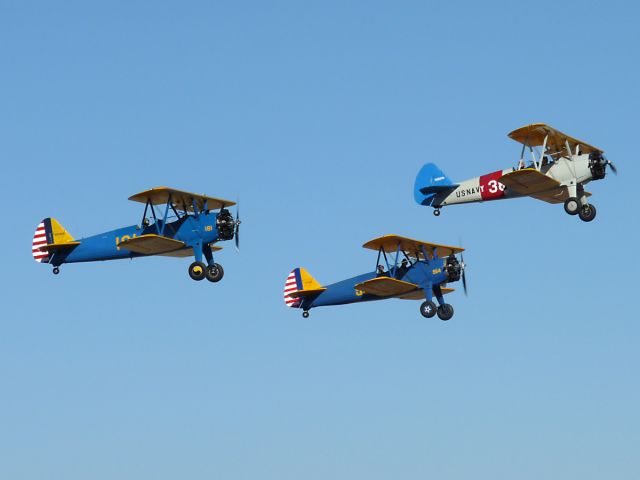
(317,115)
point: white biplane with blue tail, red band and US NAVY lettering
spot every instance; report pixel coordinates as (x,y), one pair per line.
(558,171)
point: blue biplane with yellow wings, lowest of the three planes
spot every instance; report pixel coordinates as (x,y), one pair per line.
(412,270)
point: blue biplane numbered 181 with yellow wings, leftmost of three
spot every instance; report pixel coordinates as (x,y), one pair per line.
(174,224)
